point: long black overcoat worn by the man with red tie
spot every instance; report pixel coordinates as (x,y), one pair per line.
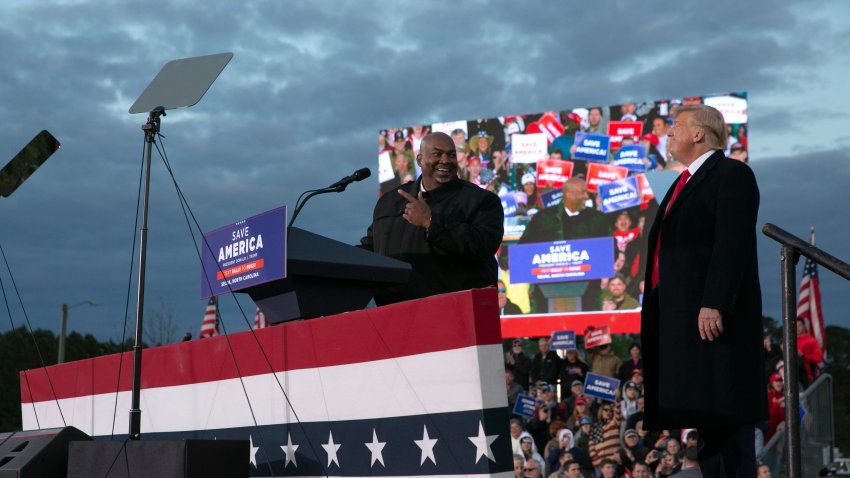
(707,259)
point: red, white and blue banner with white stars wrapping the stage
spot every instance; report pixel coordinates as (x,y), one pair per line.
(366,394)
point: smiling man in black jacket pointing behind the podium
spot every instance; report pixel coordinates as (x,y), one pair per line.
(447,229)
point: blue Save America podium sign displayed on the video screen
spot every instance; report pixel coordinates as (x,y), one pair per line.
(562,261)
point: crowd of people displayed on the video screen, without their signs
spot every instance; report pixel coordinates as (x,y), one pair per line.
(485,158)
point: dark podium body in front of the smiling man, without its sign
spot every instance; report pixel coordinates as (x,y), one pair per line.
(325,277)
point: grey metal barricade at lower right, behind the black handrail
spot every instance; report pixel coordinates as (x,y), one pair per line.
(817,433)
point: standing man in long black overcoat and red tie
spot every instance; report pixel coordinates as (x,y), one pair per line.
(701,320)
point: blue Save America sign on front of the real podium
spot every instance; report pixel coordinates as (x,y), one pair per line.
(246,253)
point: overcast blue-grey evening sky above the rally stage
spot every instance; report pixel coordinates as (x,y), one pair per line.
(312,82)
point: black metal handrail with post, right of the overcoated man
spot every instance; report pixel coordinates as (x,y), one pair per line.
(792,248)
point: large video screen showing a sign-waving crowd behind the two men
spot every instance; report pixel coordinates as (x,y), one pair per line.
(575,189)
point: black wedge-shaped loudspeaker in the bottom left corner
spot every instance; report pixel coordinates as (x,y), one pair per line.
(37,453)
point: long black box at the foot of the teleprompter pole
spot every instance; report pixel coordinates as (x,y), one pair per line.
(159,459)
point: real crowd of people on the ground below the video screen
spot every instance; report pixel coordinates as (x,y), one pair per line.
(572,434)
